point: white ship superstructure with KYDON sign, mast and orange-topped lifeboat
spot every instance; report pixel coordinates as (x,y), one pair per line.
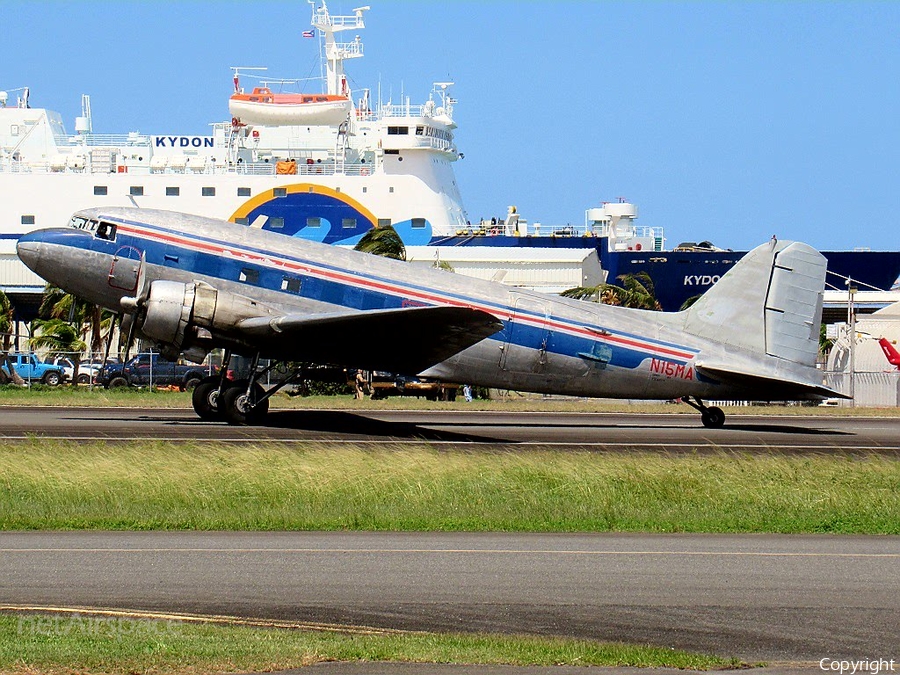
(330,176)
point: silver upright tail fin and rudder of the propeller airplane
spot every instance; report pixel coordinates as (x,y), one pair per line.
(767,310)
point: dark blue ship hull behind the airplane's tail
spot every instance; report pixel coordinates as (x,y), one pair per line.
(680,275)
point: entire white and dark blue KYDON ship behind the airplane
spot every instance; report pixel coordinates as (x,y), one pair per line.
(329,165)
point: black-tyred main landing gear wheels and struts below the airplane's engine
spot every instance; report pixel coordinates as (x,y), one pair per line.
(237,402)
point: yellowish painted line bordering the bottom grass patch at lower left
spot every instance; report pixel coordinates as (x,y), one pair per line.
(208,618)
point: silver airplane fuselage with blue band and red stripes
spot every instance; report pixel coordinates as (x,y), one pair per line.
(547,344)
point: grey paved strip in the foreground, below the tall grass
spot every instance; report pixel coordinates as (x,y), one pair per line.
(758,597)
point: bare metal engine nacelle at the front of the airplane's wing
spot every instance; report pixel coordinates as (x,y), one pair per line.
(178,316)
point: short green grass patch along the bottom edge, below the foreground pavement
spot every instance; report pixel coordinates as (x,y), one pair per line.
(30,644)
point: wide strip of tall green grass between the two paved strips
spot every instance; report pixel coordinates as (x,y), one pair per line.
(205,486)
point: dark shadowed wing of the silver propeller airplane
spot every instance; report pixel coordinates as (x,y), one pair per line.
(407,340)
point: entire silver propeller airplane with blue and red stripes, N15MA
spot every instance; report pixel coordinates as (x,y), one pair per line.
(191,284)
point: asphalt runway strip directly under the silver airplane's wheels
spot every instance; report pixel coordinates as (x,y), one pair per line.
(596,431)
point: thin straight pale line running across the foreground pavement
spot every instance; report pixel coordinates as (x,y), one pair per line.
(465,551)
